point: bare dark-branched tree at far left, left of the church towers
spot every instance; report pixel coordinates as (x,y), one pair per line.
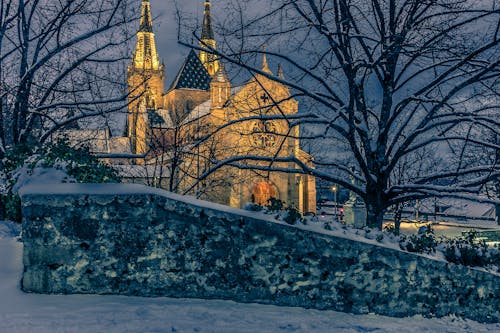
(59,63)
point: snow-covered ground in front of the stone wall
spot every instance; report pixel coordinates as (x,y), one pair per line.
(21,312)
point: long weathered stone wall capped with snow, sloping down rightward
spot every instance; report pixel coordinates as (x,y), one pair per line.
(132,240)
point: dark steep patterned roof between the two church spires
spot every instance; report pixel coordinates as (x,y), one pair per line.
(192,75)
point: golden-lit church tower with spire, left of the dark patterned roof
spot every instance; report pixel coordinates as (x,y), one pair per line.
(145,79)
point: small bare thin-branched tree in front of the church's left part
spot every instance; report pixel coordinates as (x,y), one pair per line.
(180,149)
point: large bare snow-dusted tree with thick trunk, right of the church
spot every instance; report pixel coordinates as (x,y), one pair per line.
(384,79)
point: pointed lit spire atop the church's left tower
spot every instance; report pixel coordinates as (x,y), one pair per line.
(145,56)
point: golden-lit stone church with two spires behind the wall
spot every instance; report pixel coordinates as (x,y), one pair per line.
(216,141)
